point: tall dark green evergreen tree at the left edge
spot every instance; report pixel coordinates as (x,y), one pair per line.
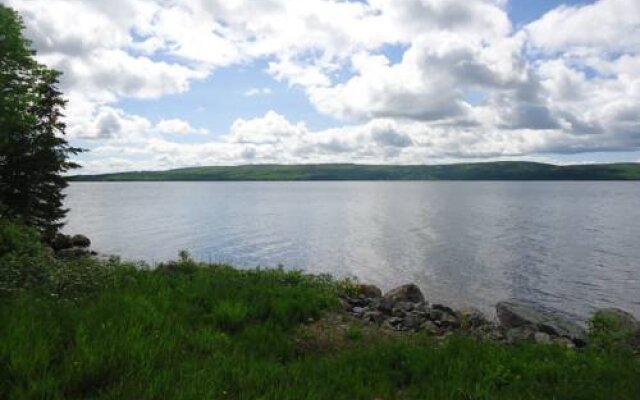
(33,152)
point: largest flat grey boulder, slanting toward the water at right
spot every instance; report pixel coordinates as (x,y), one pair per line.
(517,313)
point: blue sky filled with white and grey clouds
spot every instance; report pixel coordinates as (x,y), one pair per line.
(160,84)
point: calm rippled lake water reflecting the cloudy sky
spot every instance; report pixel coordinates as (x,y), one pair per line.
(570,245)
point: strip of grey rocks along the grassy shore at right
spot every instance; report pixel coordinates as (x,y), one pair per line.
(405,309)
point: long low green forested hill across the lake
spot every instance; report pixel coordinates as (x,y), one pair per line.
(506,170)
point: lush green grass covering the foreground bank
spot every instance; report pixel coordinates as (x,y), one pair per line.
(80,329)
